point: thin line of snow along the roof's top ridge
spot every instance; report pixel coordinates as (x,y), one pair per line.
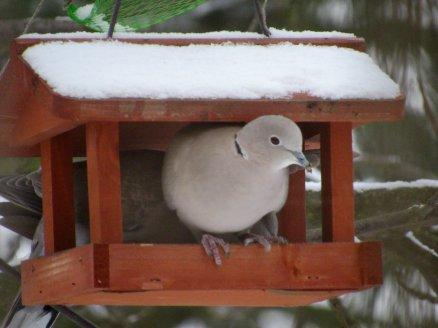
(276,33)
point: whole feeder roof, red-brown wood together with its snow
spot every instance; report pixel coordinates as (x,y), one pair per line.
(57,82)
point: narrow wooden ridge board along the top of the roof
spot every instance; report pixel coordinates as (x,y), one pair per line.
(21,44)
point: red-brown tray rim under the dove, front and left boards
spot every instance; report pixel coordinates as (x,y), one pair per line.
(118,268)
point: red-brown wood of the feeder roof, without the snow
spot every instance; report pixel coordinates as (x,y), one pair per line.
(42,113)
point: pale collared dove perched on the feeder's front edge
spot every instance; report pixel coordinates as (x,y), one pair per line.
(225,179)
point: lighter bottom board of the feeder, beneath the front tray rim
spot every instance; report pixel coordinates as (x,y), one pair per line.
(247,298)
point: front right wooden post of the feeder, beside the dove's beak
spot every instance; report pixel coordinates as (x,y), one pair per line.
(337,182)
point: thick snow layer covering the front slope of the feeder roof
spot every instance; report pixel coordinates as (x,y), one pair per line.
(110,69)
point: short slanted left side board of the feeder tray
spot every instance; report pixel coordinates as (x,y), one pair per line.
(61,275)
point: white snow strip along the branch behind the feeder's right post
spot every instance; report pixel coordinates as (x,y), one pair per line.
(361,186)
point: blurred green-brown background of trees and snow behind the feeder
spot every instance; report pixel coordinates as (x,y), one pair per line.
(402,37)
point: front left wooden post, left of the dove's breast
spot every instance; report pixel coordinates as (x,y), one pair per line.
(104,186)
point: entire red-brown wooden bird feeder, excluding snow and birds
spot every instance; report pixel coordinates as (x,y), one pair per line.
(37,121)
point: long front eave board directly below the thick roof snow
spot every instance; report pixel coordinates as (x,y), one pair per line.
(304,109)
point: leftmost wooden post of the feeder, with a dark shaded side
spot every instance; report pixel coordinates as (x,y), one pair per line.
(58,205)
